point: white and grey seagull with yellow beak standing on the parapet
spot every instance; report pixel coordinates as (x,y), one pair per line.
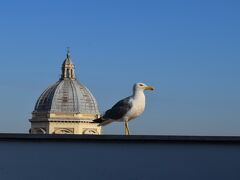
(126,109)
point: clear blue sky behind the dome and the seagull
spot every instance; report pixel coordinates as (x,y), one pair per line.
(189,50)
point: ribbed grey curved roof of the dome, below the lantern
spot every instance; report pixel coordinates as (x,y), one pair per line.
(67,96)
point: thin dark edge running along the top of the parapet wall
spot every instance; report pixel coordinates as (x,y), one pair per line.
(120,138)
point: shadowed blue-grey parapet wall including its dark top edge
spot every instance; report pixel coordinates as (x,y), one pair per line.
(78,157)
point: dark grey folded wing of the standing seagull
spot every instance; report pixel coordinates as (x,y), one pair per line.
(119,109)
